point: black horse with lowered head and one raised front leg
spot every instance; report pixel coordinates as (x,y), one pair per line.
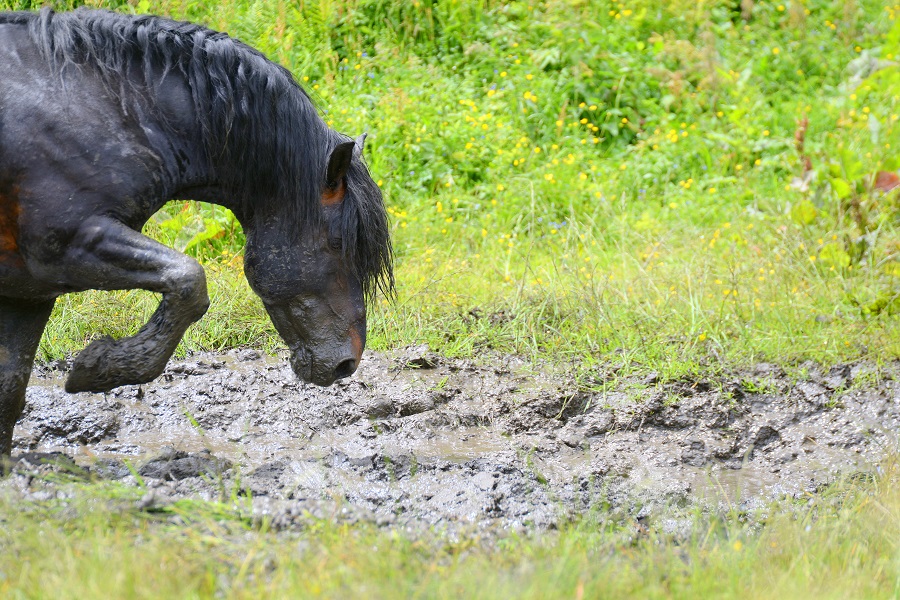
(106,117)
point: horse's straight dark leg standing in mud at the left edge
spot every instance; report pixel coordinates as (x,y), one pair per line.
(21,325)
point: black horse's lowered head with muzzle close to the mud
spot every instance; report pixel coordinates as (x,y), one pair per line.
(315,288)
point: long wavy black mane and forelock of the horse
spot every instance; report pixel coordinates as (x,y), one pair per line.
(261,129)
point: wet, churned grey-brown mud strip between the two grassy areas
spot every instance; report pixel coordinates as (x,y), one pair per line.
(419,441)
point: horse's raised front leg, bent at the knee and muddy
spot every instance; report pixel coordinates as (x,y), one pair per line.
(107,255)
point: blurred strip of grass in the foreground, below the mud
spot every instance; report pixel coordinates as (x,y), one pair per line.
(838,544)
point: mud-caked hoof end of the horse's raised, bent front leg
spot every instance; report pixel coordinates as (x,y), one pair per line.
(107,364)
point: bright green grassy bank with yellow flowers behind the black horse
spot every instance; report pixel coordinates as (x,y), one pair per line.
(581,180)
